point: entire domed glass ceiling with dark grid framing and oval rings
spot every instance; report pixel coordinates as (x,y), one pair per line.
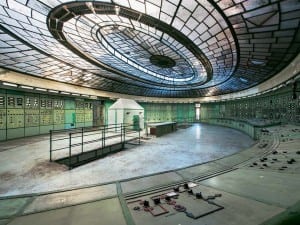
(201,48)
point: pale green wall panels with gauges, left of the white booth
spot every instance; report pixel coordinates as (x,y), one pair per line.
(26,114)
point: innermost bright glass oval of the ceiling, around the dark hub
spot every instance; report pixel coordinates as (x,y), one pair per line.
(136,46)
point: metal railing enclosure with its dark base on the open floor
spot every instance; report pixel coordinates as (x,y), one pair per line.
(77,146)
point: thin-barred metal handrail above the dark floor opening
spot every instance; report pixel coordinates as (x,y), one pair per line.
(80,140)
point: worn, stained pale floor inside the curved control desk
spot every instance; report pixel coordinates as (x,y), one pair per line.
(26,168)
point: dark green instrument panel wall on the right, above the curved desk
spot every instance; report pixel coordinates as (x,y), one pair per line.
(282,105)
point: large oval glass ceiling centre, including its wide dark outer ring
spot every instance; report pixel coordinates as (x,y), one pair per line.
(64,22)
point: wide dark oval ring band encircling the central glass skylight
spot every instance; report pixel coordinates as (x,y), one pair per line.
(61,14)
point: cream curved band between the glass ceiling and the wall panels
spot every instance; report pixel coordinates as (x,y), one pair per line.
(289,74)
